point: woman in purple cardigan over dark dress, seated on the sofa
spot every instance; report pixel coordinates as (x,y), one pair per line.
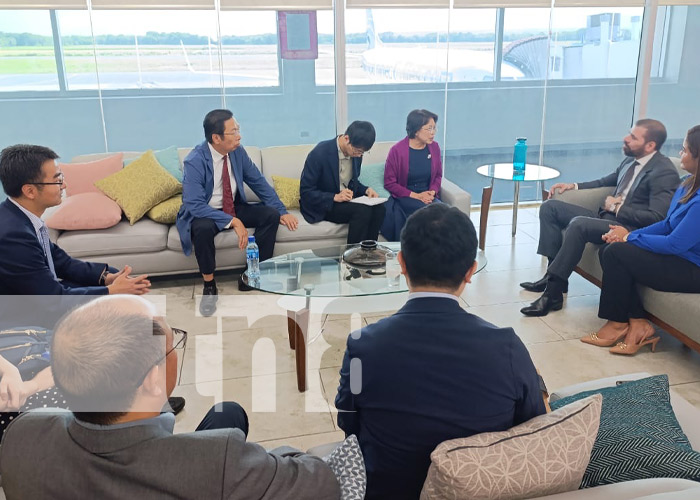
(413,172)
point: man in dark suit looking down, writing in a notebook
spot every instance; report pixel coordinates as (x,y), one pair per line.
(330,180)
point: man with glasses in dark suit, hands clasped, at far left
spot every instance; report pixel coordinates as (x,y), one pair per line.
(31,263)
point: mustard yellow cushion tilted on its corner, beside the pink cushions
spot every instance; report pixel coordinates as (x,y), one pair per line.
(140,186)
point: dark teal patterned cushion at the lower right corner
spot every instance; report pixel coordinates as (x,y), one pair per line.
(639,435)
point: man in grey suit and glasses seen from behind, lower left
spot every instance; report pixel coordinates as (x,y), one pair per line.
(116,364)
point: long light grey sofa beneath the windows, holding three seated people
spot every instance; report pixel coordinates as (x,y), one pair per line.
(153,248)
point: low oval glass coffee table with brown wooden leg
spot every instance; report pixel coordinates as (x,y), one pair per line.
(321,275)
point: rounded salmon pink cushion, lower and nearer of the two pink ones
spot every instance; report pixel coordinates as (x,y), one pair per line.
(85,211)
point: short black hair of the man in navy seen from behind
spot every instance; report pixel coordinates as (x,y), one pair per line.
(439,245)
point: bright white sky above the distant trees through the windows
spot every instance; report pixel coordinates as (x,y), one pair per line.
(250,23)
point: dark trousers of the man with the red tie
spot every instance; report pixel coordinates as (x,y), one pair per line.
(264,219)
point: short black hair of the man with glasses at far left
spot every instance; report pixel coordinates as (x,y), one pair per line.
(21,164)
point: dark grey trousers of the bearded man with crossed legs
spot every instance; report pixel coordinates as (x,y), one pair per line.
(582,226)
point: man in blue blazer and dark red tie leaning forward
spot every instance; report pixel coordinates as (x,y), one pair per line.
(213,200)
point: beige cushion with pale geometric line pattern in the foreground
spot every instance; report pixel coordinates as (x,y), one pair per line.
(545,455)
